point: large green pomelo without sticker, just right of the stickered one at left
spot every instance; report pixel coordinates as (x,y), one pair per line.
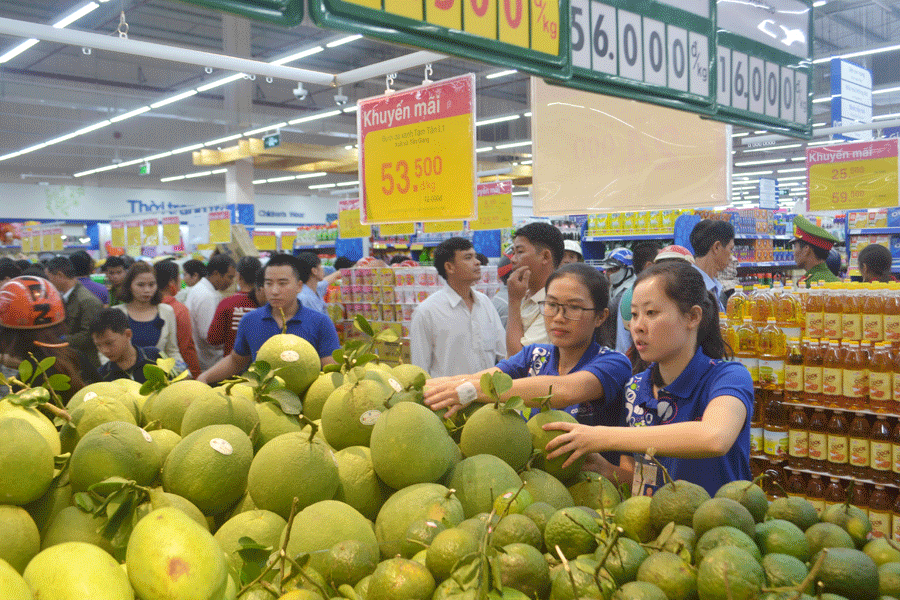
(292,466)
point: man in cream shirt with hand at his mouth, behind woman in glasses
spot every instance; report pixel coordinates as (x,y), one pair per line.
(537,252)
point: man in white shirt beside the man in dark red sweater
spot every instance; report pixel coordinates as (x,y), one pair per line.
(202,302)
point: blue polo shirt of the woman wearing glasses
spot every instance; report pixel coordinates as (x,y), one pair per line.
(611,368)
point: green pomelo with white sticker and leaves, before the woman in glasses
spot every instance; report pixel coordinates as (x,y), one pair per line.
(498,432)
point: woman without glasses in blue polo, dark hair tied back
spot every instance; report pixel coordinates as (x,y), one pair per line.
(692,407)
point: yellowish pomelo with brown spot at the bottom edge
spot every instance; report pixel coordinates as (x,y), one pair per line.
(171,557)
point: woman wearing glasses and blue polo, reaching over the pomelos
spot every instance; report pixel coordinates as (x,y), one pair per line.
(587,378)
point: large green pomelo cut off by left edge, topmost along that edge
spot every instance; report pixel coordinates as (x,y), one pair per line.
(26,462)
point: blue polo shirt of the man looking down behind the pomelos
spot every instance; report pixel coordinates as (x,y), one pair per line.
(259,325)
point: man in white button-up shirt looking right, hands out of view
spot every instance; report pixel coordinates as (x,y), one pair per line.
(456,330)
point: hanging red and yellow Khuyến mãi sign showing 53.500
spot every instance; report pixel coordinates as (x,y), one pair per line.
(417,153)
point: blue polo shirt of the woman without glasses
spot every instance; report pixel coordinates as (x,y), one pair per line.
(685,399)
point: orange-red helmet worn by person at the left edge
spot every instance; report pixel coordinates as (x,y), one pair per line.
(30,303)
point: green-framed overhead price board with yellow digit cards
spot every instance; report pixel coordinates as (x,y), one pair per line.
(527,35)
